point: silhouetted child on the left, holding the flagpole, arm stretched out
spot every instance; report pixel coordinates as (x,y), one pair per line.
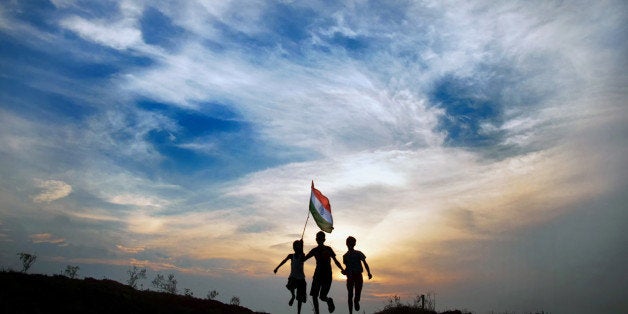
(296,280)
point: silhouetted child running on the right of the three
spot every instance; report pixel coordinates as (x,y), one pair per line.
(353,260)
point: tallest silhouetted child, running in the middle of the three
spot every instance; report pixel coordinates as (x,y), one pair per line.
(321,282)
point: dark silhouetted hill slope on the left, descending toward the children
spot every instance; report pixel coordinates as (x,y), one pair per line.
(35,293)
